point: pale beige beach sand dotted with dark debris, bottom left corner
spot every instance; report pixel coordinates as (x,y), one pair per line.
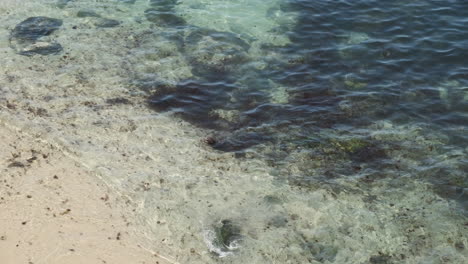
(52,210)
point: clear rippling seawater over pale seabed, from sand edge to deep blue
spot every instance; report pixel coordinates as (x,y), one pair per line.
(280,131)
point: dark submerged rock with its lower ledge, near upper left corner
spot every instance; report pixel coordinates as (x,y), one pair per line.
(27,38)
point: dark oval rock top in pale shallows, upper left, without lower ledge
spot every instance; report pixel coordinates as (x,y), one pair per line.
(34,28)
